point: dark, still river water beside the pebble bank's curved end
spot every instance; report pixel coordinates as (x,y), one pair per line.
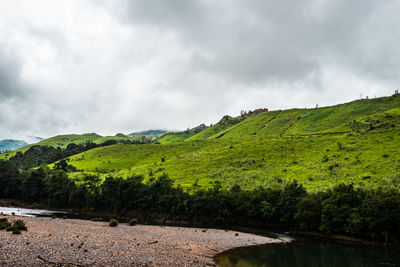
(310,254)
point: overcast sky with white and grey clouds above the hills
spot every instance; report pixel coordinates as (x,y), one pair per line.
(110,66)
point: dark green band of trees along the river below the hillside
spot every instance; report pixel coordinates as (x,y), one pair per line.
(370,214)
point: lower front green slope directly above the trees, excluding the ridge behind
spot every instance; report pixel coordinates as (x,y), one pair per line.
(371,159)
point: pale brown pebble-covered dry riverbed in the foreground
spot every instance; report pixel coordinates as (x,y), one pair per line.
(67,242)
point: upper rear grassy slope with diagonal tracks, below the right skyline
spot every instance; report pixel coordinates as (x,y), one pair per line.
(333,119)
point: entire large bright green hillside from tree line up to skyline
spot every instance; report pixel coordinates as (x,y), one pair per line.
(271,147)
